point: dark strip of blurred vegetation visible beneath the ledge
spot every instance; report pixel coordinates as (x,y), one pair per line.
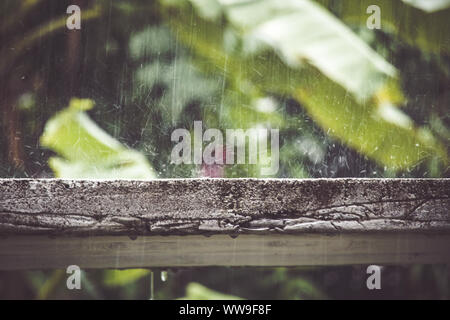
(349,282)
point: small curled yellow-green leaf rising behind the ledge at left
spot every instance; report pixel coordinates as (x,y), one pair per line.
(87,151)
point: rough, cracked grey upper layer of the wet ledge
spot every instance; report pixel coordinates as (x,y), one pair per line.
(231,206)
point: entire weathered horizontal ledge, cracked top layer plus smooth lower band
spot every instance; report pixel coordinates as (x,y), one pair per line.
(176,223)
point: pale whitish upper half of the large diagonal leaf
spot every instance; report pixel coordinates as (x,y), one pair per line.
(302,32)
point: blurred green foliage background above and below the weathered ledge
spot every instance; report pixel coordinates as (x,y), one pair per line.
(102,102)
